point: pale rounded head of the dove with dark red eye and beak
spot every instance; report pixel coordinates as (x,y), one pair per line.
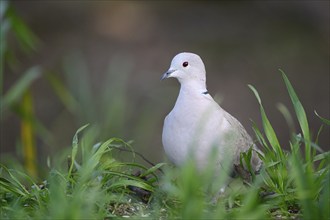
(186,67)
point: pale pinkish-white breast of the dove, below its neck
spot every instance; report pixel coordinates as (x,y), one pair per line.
(191,129)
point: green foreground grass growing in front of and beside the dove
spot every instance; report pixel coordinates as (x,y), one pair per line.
(93,183)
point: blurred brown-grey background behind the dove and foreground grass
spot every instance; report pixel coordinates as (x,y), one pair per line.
(68,63)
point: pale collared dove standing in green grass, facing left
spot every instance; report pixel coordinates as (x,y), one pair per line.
(197,125)
